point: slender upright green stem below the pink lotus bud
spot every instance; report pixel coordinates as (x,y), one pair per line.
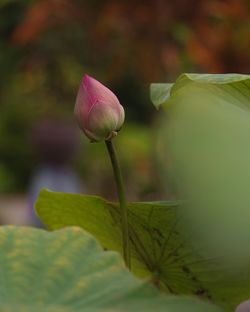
(122,200)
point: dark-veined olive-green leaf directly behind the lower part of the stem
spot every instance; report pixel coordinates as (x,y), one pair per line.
(158,250)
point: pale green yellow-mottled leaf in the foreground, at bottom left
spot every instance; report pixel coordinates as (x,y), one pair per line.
(67,271)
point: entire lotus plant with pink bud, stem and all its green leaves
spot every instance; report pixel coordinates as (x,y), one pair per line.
(188,255)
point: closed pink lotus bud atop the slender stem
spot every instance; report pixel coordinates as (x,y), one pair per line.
(97,110)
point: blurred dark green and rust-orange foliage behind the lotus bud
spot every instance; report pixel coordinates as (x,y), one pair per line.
(47,45)
